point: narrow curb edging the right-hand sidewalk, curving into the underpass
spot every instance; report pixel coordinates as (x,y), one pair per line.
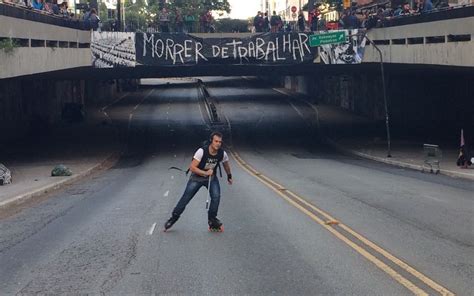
(376,158)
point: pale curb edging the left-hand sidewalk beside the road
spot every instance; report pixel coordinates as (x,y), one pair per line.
(57,185)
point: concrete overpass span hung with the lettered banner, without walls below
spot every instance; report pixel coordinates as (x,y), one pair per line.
(58,48)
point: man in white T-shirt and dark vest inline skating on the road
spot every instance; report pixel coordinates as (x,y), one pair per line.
(203,166)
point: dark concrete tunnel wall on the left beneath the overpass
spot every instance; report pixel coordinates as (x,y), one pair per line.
(33,107)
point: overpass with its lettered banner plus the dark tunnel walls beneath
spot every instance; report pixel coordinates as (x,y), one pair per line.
(48,62)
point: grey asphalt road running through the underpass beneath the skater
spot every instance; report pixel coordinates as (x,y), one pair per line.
(104,236)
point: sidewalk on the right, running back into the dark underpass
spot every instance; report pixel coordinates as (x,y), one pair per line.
(357,135)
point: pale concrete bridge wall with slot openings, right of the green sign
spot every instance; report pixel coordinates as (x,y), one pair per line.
(431,43)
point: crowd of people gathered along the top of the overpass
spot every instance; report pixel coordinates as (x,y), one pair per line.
(177,21)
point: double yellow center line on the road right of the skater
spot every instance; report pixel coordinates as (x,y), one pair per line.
(285,194)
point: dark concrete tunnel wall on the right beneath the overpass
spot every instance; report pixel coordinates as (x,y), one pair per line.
(425,103)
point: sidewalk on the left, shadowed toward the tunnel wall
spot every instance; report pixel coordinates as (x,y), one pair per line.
(84,148)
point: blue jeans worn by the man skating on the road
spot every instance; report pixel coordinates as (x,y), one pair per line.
(193,186)
